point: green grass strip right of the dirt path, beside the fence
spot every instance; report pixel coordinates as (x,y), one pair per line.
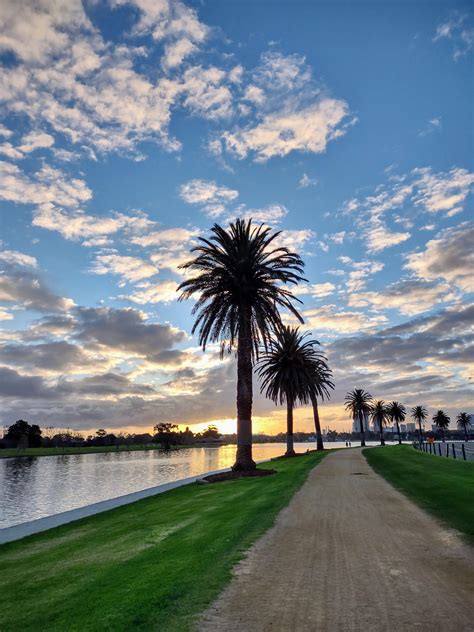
(444,487)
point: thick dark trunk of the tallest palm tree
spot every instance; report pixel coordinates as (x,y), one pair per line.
(243,459)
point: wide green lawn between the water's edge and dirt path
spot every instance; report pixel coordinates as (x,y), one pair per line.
(151,565)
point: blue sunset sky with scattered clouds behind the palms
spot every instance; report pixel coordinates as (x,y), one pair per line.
(128,127)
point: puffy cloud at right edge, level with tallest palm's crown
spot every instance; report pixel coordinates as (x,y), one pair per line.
(449,257)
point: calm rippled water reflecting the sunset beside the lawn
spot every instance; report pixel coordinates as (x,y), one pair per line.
(35,487)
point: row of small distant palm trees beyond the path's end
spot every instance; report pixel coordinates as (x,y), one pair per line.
(361,405)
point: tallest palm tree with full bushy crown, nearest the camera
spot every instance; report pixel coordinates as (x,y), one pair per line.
(241,281)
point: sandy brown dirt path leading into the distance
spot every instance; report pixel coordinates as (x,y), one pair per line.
(350,553)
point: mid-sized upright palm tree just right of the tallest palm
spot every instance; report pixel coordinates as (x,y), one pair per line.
(285,375)
